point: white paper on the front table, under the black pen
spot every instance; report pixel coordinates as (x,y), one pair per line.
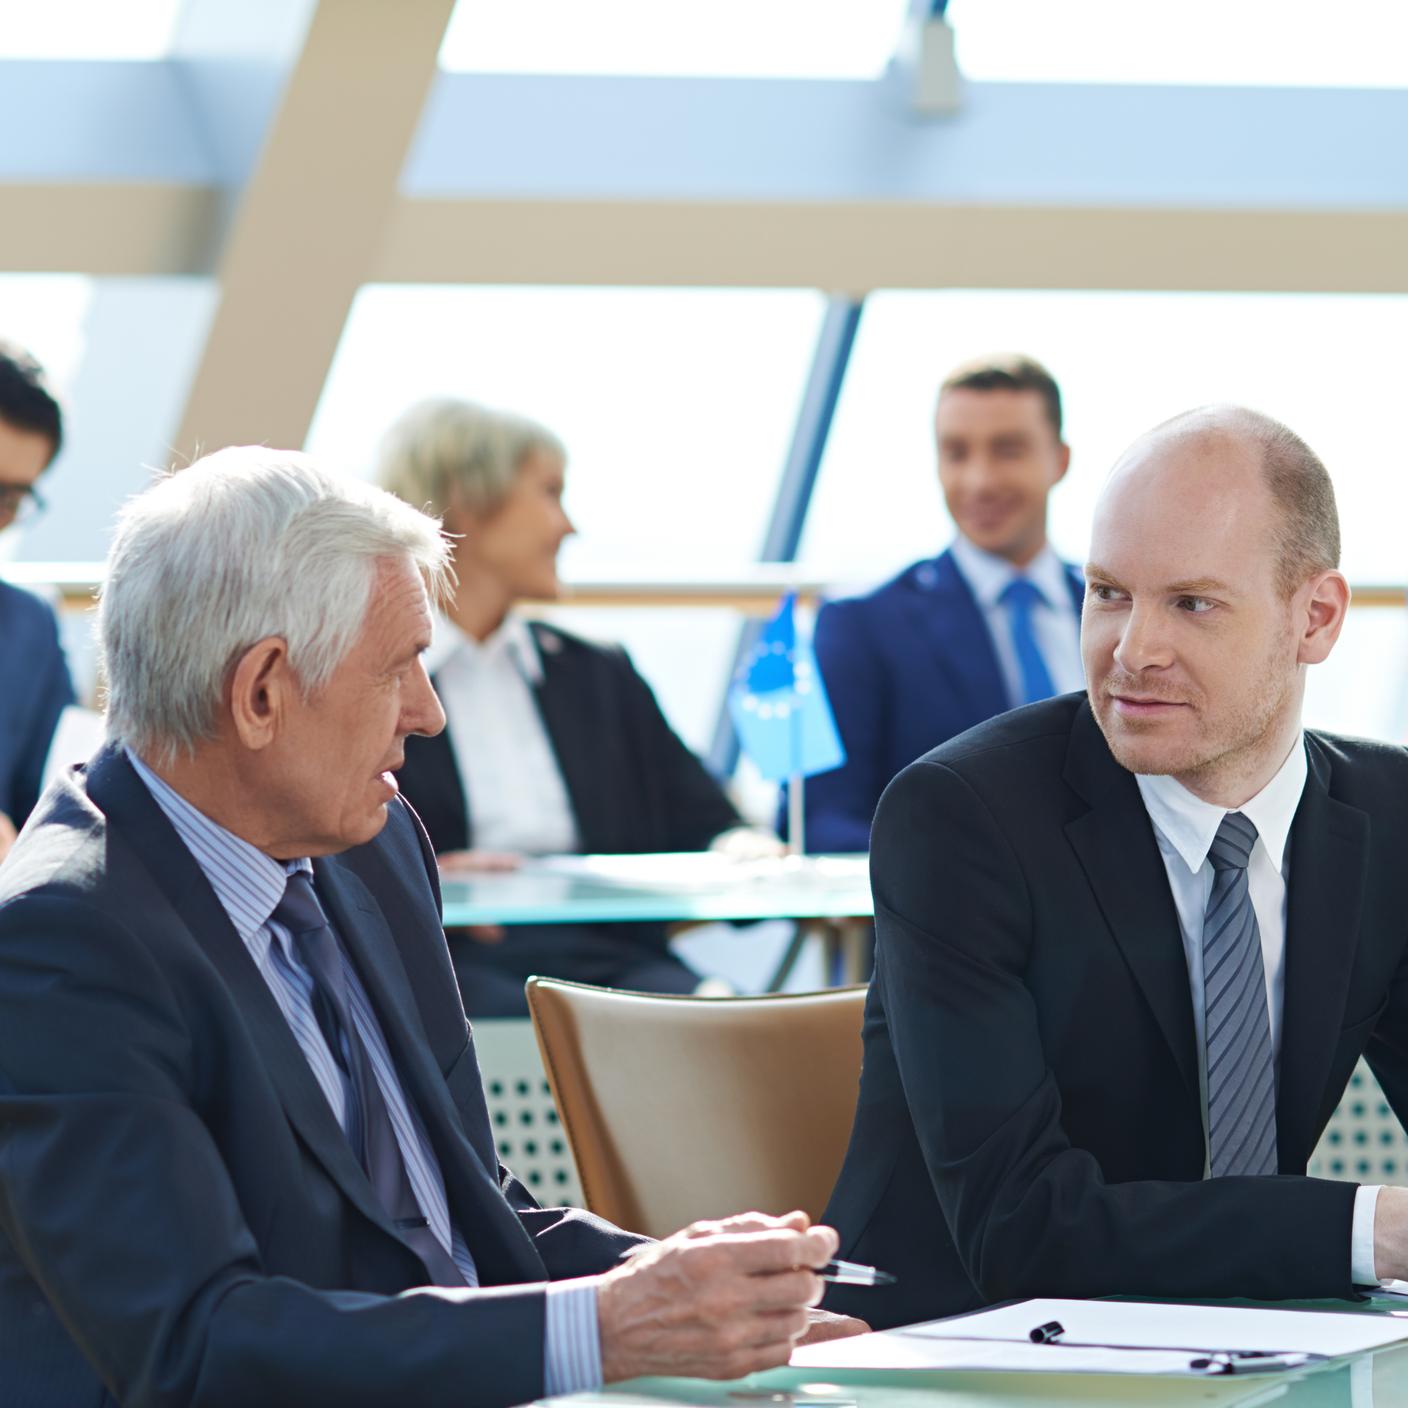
(998,1340)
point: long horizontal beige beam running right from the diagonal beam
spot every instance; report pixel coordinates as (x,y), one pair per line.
(858,247)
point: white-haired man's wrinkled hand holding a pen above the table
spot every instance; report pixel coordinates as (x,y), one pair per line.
(719,1300)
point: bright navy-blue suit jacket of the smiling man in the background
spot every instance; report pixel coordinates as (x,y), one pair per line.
(907,668)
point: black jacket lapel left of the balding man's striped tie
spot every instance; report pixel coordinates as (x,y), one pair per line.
(1120,855)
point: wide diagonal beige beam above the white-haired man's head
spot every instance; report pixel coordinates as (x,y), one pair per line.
(310,220)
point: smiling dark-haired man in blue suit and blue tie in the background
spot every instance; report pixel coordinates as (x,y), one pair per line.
(989,624)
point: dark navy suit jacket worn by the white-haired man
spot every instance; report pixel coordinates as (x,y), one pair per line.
(181,1217)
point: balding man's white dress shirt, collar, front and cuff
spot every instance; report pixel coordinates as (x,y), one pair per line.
(1185,827)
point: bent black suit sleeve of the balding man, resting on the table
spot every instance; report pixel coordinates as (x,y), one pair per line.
(1030,1213)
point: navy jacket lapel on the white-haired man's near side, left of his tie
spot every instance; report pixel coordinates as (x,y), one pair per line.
(137,819)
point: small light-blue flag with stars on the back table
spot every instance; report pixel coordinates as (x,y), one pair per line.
(779,705)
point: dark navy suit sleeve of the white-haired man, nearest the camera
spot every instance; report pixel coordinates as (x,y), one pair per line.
(119,1205)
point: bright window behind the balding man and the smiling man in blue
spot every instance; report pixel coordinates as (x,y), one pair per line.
(1331,367)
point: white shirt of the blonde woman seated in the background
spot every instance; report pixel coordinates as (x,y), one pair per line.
(515,793)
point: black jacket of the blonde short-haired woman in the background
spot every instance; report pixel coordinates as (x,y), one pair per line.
(634,788)
